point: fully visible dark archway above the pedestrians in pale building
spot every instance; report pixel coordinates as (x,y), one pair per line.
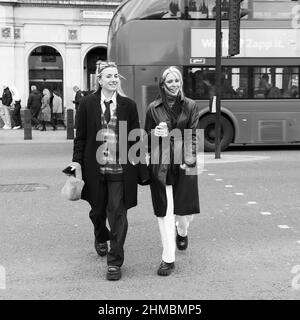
(46,69)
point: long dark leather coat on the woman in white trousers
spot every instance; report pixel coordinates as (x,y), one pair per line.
(185,186)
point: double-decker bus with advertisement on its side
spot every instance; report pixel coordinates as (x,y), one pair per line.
(260,86)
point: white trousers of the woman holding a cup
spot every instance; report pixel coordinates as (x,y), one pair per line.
(167,228)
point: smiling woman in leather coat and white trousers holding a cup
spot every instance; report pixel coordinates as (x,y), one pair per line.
(174,192)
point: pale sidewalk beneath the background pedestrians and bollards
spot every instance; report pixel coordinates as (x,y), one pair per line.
(49,136)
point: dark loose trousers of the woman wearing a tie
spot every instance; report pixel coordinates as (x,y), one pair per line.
(114,209)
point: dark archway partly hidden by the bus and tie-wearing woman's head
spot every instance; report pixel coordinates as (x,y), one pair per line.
(90,62)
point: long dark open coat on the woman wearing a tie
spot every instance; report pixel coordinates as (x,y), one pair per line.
(85,148)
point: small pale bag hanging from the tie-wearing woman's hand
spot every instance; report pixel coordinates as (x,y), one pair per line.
(73,186)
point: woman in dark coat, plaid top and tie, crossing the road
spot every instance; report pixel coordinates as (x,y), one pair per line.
(110,187)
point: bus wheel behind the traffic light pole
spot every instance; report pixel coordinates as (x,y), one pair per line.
(208,124)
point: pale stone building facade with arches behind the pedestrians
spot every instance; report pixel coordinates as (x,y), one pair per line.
(53,44)
